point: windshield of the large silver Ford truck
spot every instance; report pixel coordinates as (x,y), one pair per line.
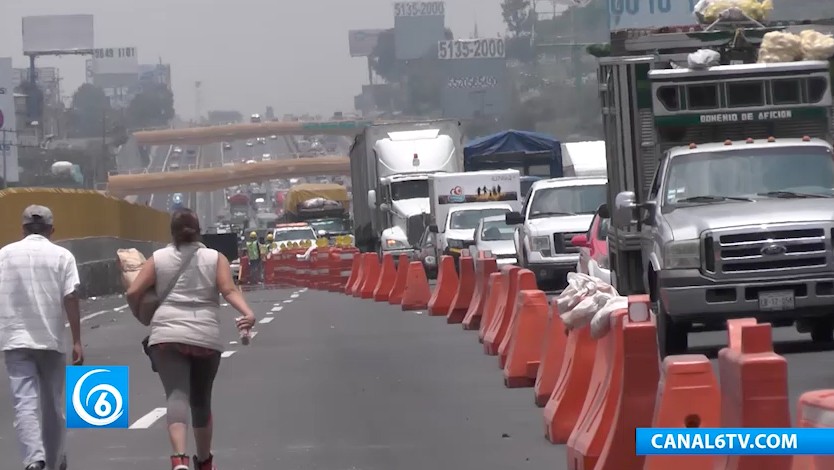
(806,171)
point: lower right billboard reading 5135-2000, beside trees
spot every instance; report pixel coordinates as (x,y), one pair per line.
(476,79)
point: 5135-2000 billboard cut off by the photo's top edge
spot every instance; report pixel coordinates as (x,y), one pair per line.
(418,26)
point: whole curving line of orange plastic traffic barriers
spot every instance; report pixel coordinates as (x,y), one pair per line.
(593,392)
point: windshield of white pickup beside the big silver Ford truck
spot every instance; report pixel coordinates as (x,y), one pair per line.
(572,200)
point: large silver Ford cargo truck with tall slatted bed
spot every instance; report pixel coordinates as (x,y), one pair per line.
(720,178)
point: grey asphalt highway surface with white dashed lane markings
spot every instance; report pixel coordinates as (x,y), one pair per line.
(335,383)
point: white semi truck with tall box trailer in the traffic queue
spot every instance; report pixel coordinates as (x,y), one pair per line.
(390,166)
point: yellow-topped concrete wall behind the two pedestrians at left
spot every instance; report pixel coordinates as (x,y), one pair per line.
(92,226)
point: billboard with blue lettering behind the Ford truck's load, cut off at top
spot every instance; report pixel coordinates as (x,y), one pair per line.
(651,14)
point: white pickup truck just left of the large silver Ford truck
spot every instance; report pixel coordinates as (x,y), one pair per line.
(554,211)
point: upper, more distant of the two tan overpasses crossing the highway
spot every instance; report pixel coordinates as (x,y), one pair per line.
(230,132)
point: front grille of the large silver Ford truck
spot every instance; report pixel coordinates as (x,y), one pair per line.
(786,250)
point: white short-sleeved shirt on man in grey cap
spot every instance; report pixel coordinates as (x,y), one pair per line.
(35,276)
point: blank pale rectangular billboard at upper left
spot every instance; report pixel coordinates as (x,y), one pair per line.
(58,34)
